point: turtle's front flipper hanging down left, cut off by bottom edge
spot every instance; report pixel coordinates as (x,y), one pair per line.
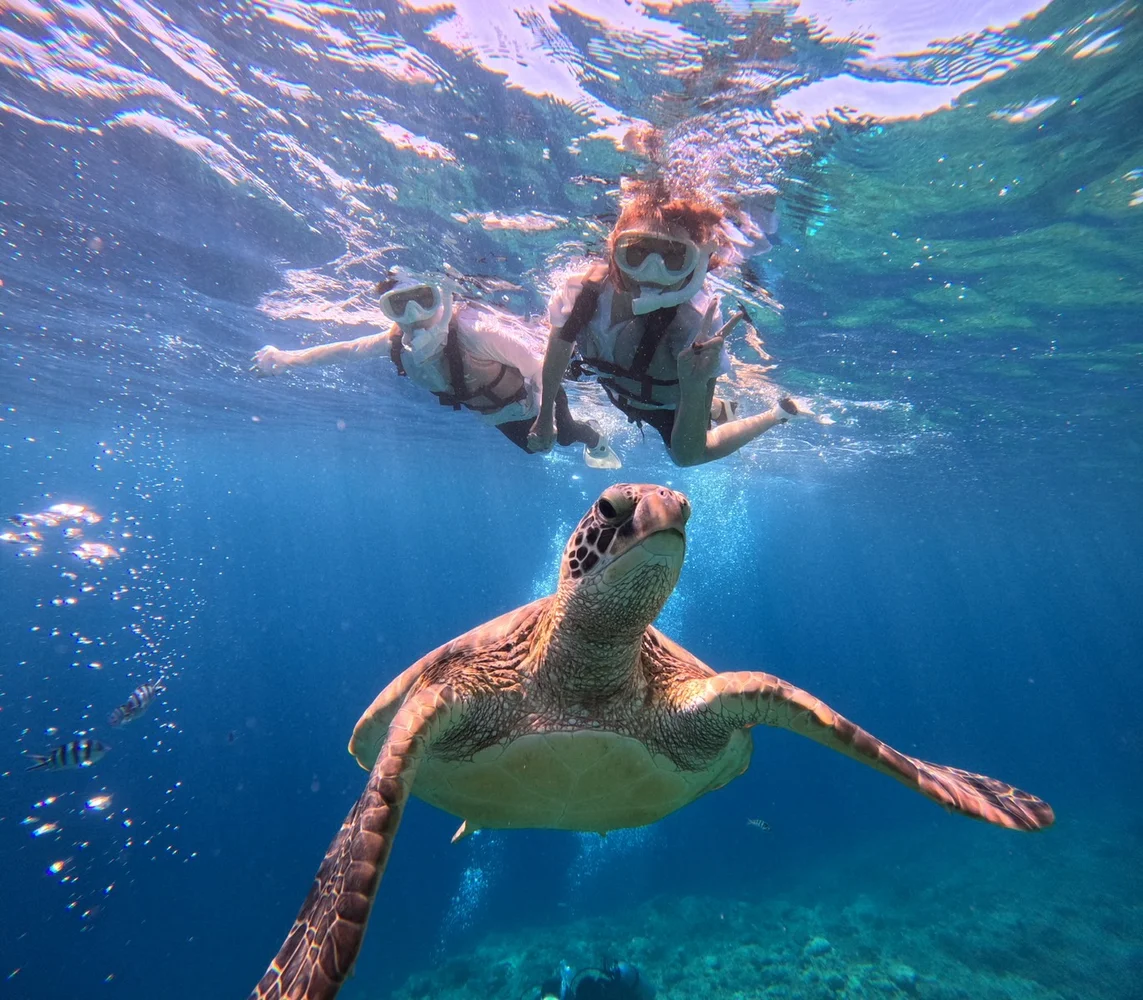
(324,942)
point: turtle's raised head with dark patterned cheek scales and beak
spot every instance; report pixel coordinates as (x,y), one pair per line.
(624,559)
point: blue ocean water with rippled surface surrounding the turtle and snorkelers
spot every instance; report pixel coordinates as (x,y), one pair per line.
(954,562)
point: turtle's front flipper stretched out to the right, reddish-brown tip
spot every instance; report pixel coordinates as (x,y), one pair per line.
(741,700)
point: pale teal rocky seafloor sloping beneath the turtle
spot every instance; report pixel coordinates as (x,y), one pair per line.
(1052,917)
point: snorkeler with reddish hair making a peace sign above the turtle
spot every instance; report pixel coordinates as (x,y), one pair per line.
(644,324)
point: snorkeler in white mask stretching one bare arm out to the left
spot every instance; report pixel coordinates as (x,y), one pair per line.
(466,354)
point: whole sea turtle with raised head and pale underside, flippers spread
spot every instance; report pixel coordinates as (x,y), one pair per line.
(574,714)
